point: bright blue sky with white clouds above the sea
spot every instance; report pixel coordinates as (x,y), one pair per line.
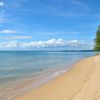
(48,24)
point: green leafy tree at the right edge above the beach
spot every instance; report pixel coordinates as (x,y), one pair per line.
(97,40)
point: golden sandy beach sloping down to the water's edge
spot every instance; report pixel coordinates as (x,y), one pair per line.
(82,82)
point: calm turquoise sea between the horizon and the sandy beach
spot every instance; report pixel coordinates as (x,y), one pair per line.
(19,67)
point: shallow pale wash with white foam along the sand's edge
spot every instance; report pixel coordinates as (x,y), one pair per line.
(35,82)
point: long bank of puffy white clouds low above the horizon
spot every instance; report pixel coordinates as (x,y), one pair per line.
(44,44)
